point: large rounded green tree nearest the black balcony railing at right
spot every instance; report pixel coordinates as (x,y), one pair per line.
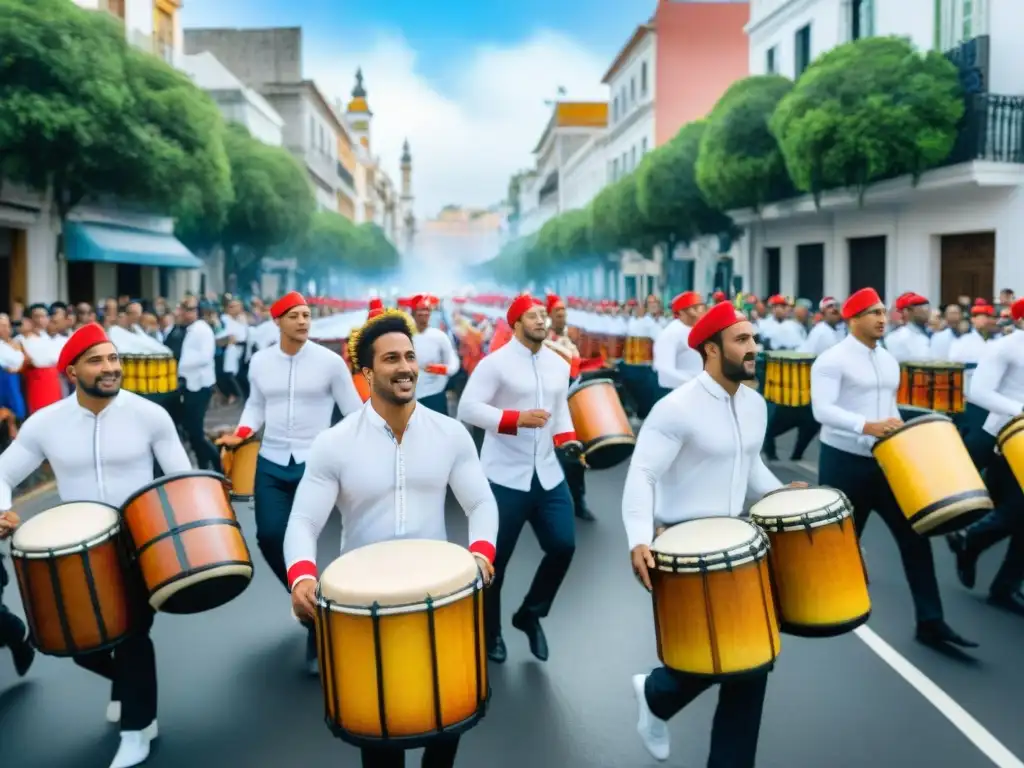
(867,111)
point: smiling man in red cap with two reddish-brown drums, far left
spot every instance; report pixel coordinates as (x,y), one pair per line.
(101,444)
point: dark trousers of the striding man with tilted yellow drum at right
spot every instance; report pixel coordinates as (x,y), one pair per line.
(862,480)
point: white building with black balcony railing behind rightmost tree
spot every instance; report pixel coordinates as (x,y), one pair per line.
(958,232)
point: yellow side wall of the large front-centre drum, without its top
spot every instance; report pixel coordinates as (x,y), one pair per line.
(415,672)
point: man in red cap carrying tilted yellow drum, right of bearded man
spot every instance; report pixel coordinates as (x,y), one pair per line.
(854,395)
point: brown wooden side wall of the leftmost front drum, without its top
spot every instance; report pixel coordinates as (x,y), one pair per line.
(96,621)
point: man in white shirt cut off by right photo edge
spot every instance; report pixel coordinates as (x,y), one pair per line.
(998,387)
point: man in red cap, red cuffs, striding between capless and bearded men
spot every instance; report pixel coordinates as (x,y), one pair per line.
(519,396)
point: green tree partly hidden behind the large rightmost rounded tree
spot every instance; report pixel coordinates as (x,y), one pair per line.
(740,164)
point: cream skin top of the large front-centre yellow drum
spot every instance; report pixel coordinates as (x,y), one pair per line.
(399,573)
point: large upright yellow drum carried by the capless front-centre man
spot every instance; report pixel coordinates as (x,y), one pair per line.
(400,628)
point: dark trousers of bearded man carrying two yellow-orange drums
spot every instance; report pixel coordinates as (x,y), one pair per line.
(737,728)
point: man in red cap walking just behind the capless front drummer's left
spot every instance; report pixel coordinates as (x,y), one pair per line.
(293,390)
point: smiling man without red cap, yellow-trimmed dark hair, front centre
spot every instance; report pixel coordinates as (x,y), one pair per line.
(388,470)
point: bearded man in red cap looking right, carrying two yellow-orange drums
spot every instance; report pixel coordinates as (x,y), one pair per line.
(688,452)
